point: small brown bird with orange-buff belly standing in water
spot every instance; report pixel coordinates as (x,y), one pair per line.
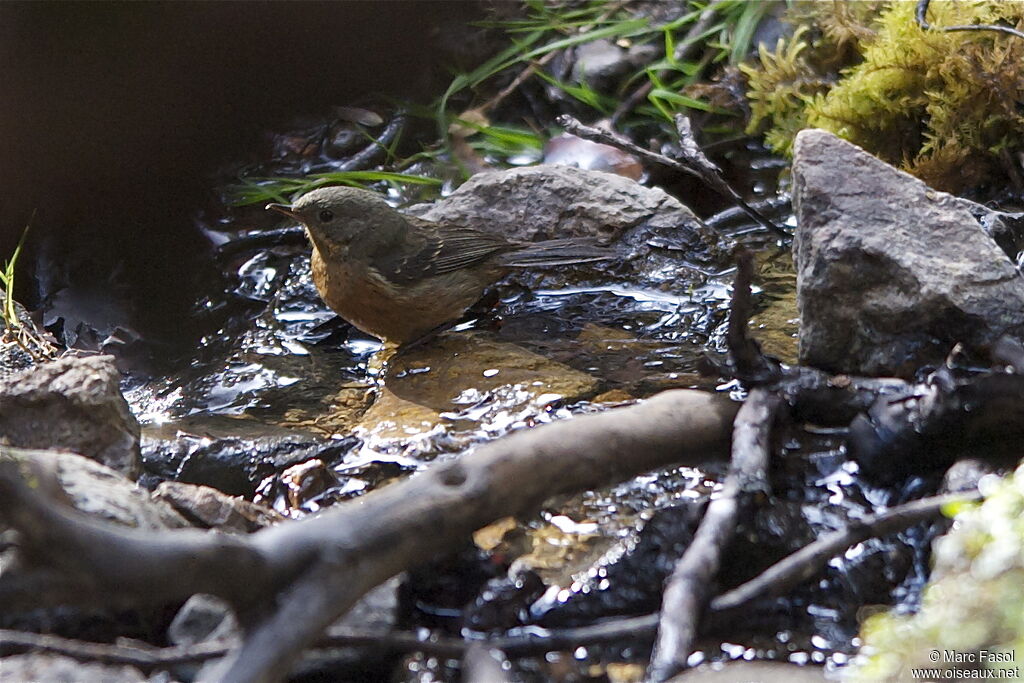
(399,277)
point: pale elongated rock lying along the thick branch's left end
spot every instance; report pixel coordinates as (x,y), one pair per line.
(99,491)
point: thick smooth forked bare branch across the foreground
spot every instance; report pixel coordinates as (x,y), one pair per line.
(307,575)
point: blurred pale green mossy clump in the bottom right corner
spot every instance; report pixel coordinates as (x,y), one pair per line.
(972,617)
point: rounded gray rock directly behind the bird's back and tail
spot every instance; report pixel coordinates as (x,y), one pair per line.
(658,239)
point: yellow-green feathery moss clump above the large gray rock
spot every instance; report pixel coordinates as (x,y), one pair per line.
(948,107)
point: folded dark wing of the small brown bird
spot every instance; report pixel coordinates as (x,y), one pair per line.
(433,250)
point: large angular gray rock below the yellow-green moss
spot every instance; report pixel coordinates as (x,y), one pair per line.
(890,274)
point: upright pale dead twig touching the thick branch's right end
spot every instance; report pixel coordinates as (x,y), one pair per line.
(690,588)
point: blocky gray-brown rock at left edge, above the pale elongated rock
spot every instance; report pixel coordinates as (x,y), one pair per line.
(72,404)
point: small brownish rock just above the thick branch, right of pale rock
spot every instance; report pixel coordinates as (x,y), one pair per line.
(209,508)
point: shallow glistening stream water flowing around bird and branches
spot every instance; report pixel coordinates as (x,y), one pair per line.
(323,414)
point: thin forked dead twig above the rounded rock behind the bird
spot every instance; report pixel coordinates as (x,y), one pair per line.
(695,163)
